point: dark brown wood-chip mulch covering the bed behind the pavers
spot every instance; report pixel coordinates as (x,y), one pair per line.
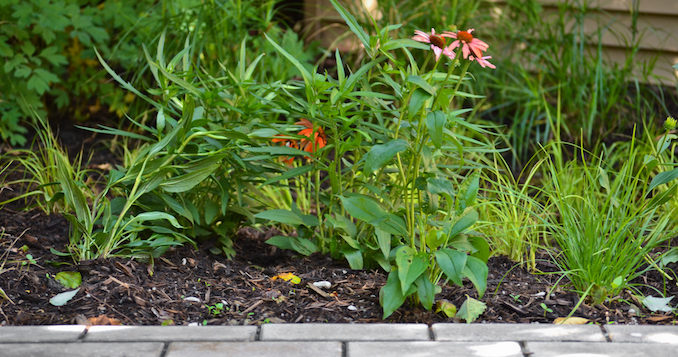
(183,285)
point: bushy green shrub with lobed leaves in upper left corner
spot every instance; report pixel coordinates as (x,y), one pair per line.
(47,50)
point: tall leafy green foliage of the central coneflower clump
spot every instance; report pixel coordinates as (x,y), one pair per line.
(402,195)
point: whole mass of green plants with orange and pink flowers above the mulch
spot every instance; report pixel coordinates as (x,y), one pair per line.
(385,159)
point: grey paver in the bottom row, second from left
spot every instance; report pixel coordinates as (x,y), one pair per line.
(252,349)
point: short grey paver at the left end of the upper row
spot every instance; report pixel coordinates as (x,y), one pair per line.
(60,333)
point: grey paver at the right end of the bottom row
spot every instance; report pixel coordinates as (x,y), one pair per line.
(593,349)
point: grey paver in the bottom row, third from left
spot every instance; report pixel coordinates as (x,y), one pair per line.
(433,349)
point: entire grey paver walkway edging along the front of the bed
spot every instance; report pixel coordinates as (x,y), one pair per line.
(342,340)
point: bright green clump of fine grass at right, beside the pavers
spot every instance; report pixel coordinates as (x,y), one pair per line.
(608,225)
